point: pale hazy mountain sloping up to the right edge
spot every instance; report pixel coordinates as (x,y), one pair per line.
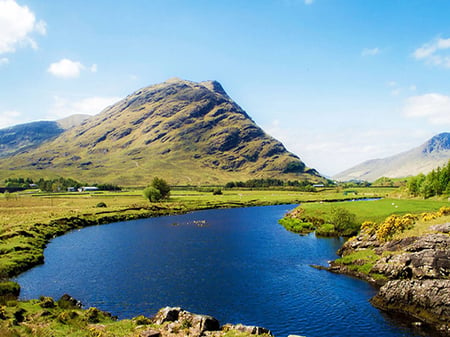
(430,155)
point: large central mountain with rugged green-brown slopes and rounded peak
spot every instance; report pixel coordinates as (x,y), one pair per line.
(185,132)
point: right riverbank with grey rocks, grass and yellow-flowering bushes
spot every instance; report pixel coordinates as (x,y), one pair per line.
(407,258)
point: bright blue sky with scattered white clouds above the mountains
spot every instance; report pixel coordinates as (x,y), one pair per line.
(337,81)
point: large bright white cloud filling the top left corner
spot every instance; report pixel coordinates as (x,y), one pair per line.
(17,24)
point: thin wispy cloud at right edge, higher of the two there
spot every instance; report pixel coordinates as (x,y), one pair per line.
(434,53)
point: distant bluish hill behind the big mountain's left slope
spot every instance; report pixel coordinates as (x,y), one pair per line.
(30,135)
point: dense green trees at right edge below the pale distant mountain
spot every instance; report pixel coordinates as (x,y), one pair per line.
(435,183)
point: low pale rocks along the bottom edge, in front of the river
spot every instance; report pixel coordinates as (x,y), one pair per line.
(178,322)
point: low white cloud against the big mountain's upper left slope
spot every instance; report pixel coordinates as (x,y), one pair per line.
(63,107)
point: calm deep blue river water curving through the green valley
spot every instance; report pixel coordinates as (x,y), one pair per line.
(238,265)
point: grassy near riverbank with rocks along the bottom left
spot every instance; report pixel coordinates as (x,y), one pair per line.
(65,317)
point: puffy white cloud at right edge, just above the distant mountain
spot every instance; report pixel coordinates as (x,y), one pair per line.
(433,107)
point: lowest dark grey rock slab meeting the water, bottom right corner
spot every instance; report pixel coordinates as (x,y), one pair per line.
(426,300)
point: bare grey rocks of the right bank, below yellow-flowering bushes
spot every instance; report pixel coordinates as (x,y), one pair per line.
(416,271)
